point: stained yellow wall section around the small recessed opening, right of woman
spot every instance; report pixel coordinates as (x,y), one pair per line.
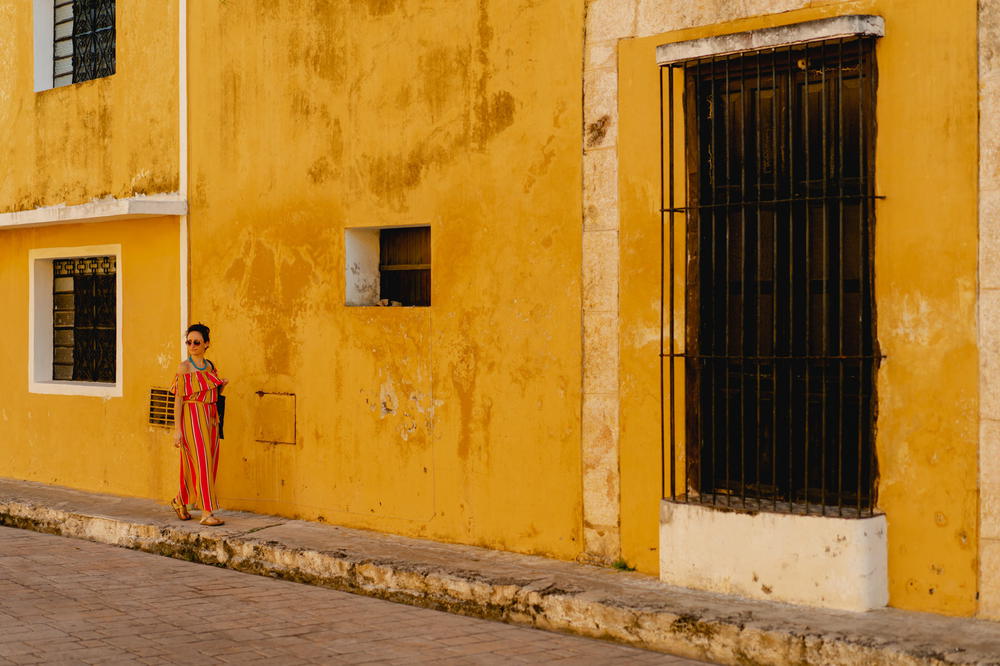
(459,421)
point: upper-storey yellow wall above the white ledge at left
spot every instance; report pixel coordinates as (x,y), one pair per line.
(114,136)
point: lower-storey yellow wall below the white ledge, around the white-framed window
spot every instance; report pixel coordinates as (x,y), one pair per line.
(90,442)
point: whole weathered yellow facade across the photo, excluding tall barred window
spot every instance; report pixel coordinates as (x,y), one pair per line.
(241,156)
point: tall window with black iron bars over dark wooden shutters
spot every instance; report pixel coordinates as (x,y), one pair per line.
(777,341)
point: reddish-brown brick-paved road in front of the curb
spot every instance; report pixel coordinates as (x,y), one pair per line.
(69,601)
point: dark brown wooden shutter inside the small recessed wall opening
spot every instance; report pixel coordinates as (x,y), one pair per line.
(405,265)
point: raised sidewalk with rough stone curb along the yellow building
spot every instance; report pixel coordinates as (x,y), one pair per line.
(601,603)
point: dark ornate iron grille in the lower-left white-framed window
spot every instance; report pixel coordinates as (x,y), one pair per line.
(84,319)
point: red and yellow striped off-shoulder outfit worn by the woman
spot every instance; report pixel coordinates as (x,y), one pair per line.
(200,432)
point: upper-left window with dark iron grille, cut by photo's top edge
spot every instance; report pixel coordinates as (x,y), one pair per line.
(83,40)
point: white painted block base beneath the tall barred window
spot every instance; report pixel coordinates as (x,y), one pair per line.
(812,560)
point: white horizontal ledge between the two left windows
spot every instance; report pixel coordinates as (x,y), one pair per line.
(99,210)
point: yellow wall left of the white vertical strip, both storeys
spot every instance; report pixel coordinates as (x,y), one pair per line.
(115,136)
